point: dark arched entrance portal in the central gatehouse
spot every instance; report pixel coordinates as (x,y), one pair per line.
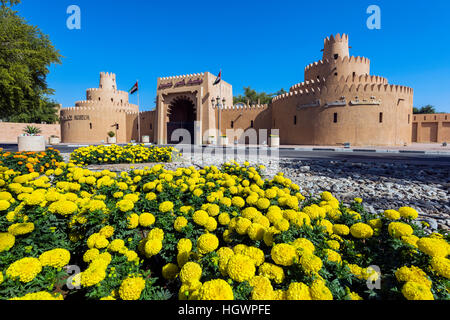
(182,115)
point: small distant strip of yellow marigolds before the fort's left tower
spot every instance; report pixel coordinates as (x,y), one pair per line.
(114,154)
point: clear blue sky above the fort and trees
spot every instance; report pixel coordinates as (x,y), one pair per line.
(262,44)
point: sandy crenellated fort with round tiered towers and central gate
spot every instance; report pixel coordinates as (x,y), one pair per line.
(338,102)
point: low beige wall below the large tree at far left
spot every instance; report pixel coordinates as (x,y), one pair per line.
(9,131)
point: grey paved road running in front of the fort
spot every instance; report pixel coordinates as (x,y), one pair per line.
(323,154)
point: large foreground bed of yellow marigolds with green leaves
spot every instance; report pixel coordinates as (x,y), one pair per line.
(205,234)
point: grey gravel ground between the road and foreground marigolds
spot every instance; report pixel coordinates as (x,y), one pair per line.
(382,186)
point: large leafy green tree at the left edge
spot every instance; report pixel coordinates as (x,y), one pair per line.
(25,57)
